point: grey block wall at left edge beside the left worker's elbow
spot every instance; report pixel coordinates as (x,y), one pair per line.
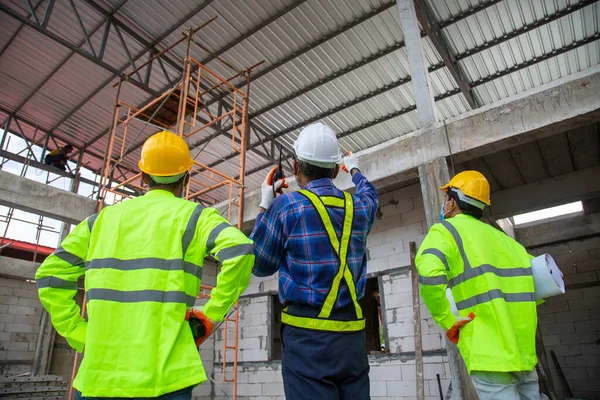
(20,317)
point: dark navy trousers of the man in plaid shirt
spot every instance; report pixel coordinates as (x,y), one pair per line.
(324,365)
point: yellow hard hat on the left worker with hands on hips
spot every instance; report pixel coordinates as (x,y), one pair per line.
(165,154)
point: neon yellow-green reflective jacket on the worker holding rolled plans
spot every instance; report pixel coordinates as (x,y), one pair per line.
(490,275)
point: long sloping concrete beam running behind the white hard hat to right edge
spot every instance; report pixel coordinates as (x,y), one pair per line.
(564,104)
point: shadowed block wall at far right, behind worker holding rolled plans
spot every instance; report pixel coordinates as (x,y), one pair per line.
(570,323)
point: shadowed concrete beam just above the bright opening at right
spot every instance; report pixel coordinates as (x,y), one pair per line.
(574,186)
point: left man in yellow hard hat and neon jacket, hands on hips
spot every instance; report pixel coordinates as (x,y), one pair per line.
(142,261)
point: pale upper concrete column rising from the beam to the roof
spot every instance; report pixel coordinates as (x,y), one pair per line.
(418,69)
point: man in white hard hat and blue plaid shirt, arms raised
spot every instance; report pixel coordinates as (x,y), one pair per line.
(317,239)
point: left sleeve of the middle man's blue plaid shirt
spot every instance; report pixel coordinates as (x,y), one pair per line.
(268,241)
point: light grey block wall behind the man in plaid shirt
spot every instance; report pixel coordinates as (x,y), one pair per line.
(400,220)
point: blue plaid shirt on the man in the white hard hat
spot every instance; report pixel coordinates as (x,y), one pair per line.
(290,237)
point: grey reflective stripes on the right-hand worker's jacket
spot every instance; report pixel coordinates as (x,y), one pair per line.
(474,272)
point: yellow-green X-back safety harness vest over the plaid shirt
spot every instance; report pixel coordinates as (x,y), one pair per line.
(323,322)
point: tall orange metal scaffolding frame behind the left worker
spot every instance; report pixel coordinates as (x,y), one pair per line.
(194,118)
